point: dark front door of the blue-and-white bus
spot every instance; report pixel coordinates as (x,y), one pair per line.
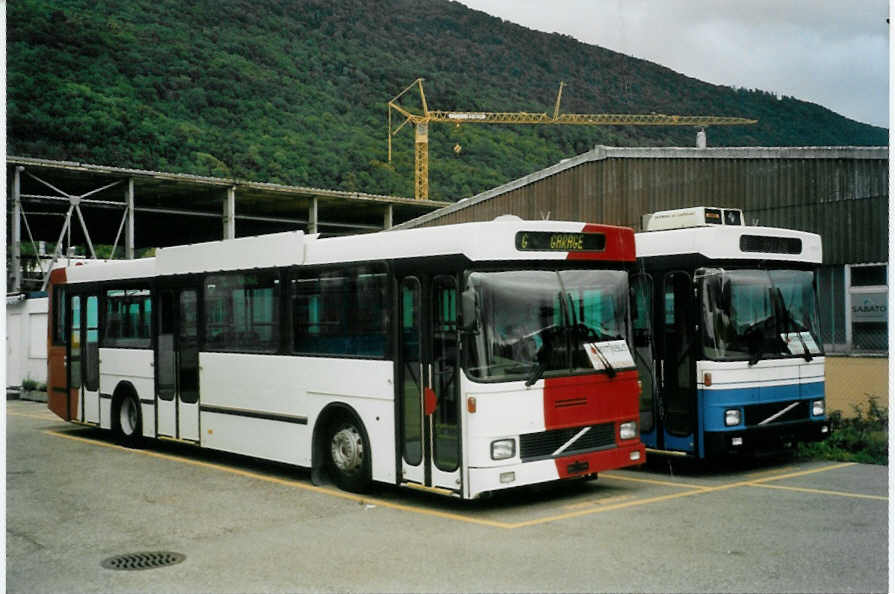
(678,364)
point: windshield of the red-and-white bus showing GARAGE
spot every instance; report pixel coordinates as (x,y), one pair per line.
(526,324)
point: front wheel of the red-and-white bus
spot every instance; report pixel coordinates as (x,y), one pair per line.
(348,455)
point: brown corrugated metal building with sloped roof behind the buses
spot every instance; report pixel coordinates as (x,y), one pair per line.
(839,192)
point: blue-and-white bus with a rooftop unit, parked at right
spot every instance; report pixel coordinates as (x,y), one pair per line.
(726,334)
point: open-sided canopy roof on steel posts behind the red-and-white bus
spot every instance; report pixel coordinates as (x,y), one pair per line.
(195,202)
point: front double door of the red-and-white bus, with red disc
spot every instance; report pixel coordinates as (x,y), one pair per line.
(428,381)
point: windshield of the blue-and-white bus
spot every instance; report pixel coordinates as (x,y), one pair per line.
(758,314)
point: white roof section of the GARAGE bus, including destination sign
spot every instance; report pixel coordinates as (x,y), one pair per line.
(506,239)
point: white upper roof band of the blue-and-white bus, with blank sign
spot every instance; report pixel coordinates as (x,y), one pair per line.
(732,242)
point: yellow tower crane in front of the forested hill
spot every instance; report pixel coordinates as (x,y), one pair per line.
(421,125)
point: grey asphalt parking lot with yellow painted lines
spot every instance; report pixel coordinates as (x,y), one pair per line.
(76,499)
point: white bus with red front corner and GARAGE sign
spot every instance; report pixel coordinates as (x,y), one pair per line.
(462,359)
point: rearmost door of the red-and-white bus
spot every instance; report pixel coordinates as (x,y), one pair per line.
(83,357)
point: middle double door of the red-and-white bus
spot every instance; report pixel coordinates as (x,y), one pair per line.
(177,364)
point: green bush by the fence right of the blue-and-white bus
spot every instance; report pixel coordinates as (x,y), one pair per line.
(863,438)
